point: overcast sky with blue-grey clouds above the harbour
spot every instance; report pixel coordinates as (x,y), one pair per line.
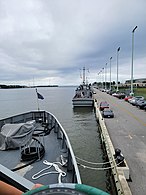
(47,42)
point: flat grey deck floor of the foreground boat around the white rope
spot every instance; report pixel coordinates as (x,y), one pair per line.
(11,159)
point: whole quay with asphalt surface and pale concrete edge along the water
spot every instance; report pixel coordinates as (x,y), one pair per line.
(126,131)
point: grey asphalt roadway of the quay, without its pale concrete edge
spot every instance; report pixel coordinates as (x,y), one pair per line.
(127,131)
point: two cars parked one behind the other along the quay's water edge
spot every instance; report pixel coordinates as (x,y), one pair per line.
(105,110)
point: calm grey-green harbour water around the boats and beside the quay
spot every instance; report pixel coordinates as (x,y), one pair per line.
(80,124)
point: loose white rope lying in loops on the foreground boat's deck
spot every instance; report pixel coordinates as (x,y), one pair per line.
(56,171)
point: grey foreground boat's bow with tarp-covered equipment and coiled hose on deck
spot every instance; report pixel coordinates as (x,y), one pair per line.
(34,148)
